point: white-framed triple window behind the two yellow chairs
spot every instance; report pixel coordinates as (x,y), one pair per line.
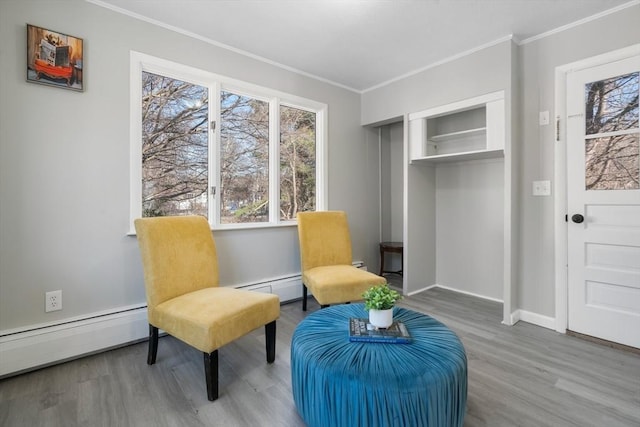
(241,155)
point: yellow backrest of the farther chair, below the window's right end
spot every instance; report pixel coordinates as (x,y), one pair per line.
(324,239)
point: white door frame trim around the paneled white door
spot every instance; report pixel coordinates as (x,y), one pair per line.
(560,176)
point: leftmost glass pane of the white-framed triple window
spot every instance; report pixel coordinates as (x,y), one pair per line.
(174,147)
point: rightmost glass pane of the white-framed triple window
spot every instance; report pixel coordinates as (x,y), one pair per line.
(297,162)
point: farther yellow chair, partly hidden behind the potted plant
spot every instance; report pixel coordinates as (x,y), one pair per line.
(325,258)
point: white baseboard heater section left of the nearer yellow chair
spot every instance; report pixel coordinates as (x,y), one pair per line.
(47,344)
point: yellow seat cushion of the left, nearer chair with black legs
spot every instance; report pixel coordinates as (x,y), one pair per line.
(209,318)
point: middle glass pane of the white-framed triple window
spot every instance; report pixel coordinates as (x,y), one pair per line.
(244,159)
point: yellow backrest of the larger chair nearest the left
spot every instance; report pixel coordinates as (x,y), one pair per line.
(178,256)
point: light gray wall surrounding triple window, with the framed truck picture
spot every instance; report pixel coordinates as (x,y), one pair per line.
(64,167)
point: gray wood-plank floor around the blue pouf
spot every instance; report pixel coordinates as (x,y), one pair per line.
(522,375)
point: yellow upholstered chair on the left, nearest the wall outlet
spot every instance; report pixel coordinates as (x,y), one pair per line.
(183,297)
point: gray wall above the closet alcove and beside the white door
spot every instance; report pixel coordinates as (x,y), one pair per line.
(527,72)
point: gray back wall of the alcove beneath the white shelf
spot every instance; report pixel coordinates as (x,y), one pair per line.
(469,203)
